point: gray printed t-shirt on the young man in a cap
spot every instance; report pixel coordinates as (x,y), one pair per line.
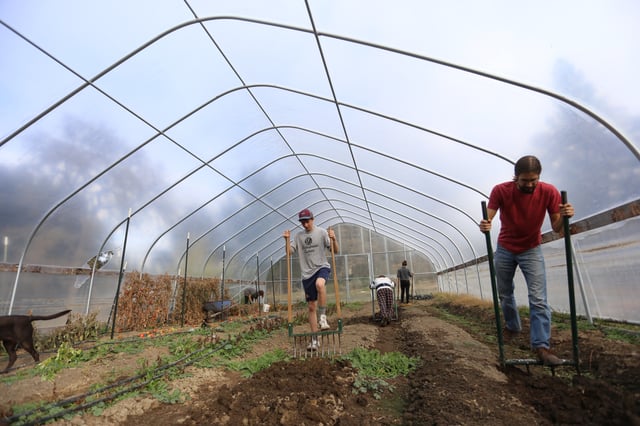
(311,247)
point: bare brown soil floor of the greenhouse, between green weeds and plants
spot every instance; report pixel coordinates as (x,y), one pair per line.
(459,380)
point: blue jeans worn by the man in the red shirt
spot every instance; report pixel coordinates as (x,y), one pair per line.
(531,264)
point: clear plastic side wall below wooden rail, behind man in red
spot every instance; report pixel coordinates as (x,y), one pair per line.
(605,274)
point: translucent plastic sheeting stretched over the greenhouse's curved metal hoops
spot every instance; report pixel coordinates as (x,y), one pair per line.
(216,122)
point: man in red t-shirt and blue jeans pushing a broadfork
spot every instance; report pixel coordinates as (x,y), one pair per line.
(523,203)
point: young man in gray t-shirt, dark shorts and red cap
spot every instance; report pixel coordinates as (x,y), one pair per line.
(311,246)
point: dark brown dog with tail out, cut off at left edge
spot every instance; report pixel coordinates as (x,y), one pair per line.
(17,330)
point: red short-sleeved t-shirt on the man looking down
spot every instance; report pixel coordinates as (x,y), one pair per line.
(522,215)
